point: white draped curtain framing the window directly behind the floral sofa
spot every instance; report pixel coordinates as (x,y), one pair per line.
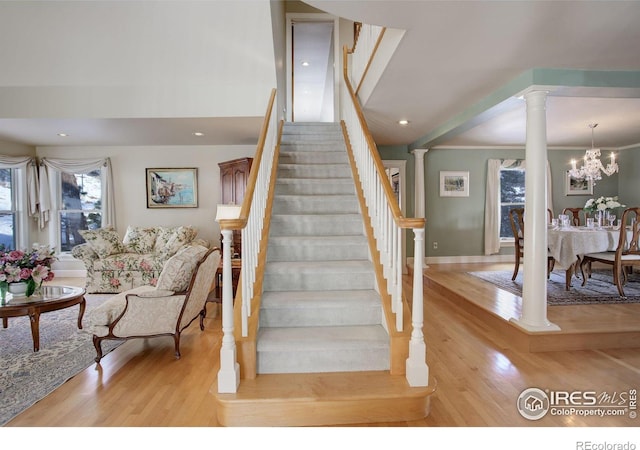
(77,166)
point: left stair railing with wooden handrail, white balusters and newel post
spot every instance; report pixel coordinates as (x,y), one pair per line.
(250,221)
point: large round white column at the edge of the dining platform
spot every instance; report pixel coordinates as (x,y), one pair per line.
(534,289)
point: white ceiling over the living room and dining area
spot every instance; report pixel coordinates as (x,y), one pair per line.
(453,57)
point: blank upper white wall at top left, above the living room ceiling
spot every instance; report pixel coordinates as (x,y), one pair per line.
(174,58)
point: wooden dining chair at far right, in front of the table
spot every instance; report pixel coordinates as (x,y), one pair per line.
(626,255)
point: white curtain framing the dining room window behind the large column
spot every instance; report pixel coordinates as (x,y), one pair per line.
(492,200)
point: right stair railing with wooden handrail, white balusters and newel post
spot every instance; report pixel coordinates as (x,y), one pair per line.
(387,222)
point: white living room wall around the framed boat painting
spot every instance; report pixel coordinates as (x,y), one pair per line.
(129,164)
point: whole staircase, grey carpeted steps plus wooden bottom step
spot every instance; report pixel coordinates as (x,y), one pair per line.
(323,353)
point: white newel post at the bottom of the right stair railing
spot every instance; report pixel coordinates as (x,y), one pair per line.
(416,367)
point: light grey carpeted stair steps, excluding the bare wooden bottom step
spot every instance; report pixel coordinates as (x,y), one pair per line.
(319,311)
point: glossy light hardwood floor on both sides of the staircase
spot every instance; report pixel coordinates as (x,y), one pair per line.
(479,372)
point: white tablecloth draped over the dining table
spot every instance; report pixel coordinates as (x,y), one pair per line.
(567,244)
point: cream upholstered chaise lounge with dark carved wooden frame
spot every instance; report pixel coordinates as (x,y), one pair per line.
(162,310)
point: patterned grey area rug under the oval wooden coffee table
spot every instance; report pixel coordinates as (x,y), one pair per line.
(27,376)
